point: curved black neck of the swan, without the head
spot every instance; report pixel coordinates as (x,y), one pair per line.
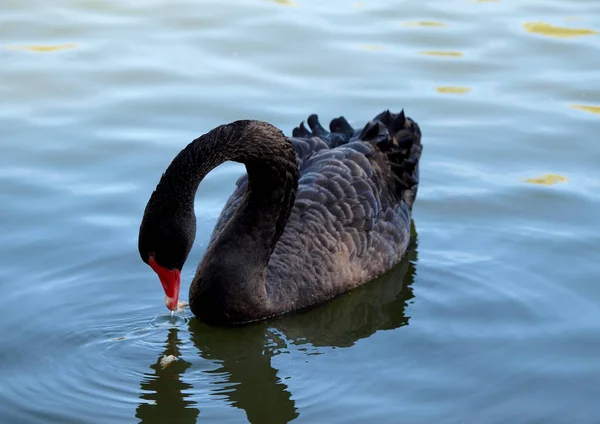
(230,280)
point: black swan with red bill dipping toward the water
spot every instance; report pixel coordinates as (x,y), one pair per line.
(317,214)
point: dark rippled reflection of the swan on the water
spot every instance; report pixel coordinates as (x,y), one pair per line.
(245,376)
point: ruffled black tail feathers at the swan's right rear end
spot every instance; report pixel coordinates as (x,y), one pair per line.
(399,138)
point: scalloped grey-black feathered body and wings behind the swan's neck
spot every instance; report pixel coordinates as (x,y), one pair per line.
(350,221)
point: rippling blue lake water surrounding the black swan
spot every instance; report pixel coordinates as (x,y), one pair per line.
(493,316)
